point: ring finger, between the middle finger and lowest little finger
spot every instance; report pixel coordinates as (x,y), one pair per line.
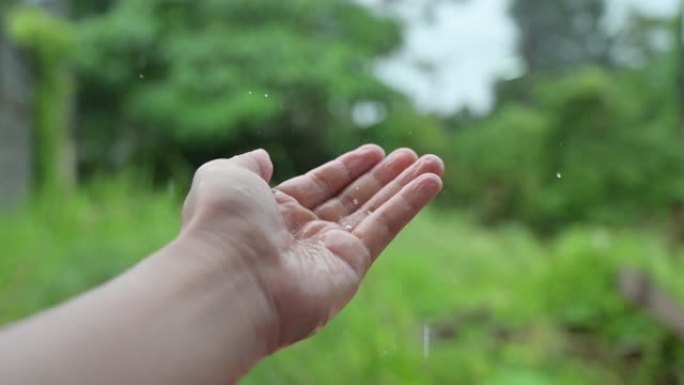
(428,164)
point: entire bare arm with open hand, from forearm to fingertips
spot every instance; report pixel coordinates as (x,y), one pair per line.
(253,270)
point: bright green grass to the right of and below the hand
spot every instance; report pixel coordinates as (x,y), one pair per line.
(512,300)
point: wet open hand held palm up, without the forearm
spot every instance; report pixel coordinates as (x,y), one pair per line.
(309,242)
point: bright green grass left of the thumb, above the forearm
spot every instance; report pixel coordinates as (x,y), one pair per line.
(60,246)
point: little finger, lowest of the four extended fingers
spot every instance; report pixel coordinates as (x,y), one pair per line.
(378,229)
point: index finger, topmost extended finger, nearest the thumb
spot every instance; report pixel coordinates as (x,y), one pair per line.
(327,181)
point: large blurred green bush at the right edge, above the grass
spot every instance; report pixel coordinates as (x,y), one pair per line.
(617,164)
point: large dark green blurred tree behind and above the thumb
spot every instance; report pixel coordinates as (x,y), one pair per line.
(173,80)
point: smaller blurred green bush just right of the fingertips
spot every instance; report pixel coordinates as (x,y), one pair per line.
(499,162)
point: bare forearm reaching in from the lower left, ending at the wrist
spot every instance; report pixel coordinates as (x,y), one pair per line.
(180,317)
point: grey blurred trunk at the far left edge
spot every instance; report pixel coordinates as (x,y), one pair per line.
(15,124)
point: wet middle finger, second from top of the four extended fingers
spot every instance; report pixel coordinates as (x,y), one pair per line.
(360,191)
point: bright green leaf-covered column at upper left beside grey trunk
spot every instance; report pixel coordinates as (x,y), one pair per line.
(42,31)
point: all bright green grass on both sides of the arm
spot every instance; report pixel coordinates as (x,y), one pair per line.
(503,307)
